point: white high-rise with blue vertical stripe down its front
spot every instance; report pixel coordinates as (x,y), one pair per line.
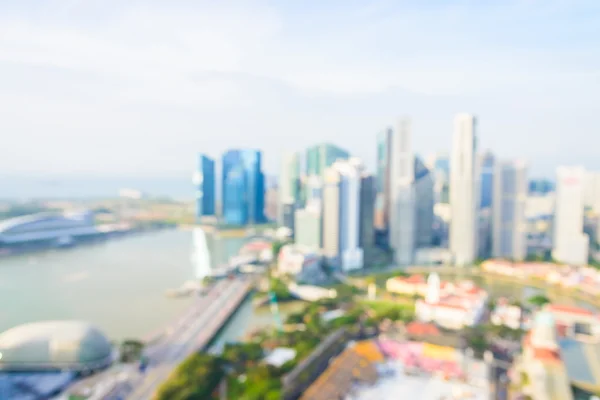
(341,211)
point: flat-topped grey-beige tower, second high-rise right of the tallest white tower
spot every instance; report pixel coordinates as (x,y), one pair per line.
(509,238)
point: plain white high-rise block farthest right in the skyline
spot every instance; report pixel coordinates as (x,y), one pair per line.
(571,244)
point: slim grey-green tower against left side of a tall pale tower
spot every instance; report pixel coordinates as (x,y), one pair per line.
(382,202)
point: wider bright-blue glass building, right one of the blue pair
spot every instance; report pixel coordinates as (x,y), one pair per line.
(243,187)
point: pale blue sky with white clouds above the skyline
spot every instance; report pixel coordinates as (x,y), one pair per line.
(119,88)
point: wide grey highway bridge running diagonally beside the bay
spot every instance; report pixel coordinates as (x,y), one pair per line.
(190,333)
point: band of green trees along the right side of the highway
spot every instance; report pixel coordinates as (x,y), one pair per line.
(240,365)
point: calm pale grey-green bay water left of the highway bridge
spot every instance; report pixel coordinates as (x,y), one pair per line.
(118,285)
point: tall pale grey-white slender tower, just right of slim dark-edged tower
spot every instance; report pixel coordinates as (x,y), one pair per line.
(402,190)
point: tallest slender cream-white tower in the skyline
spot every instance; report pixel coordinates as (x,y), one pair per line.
(464,191)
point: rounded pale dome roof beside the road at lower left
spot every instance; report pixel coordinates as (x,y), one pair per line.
(54,345)
